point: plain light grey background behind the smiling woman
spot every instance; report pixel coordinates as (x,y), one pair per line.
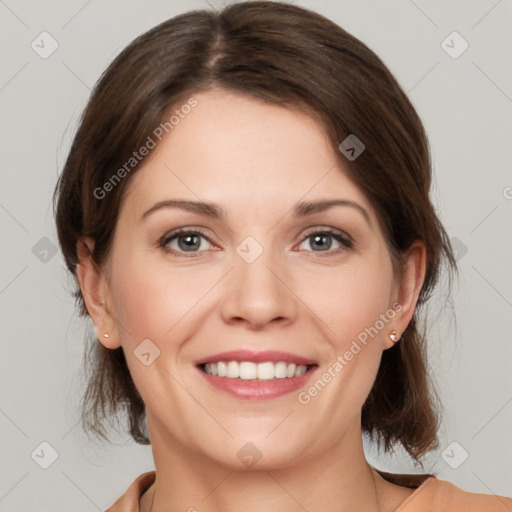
(466,107)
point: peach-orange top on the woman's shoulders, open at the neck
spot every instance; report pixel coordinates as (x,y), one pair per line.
(431,495)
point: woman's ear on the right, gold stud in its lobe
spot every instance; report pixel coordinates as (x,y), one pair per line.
(408,288)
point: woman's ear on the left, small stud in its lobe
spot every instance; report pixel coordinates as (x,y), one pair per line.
(96,293)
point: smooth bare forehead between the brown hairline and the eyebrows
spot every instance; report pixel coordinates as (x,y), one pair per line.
(233,148)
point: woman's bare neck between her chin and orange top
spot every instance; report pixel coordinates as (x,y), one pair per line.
(339,479)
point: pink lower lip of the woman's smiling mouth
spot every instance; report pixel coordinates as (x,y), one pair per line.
(258,390)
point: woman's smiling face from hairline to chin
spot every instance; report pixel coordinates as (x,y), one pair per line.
(255,273)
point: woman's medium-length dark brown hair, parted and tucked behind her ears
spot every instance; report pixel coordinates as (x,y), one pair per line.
(285,55)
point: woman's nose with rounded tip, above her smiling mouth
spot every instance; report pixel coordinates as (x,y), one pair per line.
(259,293)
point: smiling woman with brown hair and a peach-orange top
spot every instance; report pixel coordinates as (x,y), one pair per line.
(246,210)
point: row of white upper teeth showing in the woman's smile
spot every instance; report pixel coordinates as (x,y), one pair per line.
(247,370)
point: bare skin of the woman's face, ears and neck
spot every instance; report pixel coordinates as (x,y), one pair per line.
(256,161)
